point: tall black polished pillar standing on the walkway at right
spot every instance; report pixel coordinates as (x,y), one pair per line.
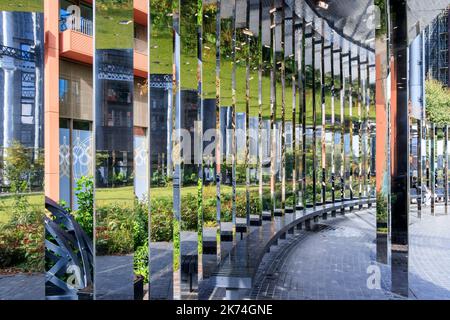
(399,148)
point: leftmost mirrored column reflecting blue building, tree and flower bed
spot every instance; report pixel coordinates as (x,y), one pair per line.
(22,201)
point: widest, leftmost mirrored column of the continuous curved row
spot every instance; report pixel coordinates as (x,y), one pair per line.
(161,124)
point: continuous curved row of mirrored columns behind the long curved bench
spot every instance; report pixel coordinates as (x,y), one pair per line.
(227,150)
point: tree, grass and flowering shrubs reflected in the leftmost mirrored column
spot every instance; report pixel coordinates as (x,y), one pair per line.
(21,233)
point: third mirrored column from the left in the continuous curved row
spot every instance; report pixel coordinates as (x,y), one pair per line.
(212,146)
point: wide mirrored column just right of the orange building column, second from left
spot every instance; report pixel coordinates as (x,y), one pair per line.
(114,196)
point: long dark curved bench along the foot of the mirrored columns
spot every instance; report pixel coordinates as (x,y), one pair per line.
(238,268)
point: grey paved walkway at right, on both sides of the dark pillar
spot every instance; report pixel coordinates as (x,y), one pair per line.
(336,259)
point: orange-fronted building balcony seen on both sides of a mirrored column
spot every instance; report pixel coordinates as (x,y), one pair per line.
(76,43)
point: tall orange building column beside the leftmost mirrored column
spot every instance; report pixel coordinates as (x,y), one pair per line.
(51,109)
